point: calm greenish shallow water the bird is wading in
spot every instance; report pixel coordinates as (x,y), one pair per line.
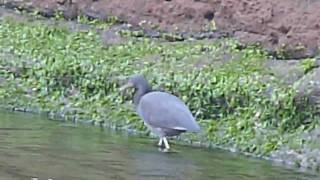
(33,147)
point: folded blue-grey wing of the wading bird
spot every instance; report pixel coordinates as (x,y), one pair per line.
(164,110)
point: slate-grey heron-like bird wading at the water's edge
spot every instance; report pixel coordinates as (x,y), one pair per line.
(163,113)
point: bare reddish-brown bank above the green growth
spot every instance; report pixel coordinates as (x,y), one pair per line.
(286,28)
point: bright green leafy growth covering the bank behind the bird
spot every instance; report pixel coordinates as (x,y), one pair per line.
(239,103)
